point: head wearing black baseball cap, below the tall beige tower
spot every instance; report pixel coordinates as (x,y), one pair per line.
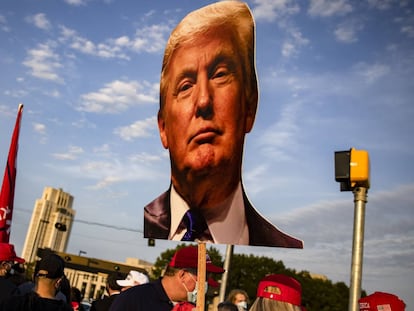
(48,275)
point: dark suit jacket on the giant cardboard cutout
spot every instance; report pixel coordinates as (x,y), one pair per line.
(157,219)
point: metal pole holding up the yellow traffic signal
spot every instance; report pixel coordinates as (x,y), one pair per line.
(360,198)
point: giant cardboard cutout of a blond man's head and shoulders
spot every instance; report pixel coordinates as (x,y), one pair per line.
(208,102)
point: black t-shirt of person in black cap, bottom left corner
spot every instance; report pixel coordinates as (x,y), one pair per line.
(32,302)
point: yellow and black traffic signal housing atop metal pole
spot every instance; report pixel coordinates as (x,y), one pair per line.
(352,169)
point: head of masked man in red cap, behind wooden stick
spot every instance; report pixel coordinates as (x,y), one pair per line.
(180,277)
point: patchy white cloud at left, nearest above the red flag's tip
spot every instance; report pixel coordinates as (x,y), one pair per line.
(44,63)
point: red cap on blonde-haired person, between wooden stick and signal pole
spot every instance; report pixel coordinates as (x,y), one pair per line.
(289,289)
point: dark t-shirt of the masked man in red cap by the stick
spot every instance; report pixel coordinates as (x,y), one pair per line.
(146,297)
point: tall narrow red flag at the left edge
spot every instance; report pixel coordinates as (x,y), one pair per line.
(9,179)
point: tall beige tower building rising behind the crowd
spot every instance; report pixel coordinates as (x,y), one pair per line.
(51,223)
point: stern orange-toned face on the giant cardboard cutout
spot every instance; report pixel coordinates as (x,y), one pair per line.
(206,113)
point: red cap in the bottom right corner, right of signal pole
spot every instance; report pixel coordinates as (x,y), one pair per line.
(381,301)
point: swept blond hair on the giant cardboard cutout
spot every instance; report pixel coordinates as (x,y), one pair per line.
(235,16)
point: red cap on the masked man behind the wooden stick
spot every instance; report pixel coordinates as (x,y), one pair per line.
(187,257)
